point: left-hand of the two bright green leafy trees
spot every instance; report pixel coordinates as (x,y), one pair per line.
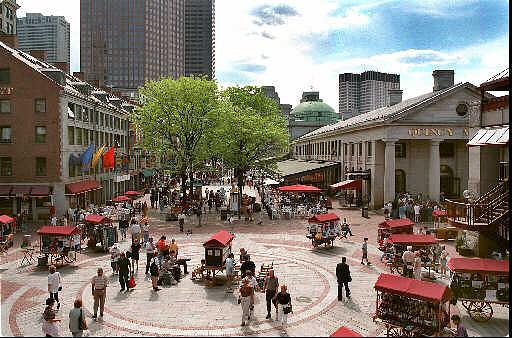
(176,119)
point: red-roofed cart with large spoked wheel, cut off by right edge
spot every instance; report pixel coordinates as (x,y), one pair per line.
(478,283)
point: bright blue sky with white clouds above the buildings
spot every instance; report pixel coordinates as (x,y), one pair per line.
(297,45)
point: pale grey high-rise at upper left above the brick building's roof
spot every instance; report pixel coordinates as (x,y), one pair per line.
(48,33)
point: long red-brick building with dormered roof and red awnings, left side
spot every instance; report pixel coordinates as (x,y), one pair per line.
(47,121)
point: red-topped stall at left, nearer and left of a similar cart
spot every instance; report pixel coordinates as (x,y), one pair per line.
(56,244)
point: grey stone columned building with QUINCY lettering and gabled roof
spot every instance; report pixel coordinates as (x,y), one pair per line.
(416,146)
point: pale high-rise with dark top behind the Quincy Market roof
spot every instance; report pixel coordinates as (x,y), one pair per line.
(361,93)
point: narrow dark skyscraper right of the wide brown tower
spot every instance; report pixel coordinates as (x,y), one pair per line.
(200,37)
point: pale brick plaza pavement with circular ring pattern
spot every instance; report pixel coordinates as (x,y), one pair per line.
(191,308)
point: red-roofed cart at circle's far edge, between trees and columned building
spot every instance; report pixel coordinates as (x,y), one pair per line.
(323,229)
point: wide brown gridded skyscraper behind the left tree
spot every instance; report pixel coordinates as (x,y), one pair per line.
(123,43)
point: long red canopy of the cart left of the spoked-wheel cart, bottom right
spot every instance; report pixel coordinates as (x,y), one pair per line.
(413,288)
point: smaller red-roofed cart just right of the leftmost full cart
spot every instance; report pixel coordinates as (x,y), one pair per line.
(100,232)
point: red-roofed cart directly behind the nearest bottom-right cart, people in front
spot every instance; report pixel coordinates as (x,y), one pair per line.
(418,242)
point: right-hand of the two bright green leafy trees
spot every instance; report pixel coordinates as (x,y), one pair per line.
(252,129)
